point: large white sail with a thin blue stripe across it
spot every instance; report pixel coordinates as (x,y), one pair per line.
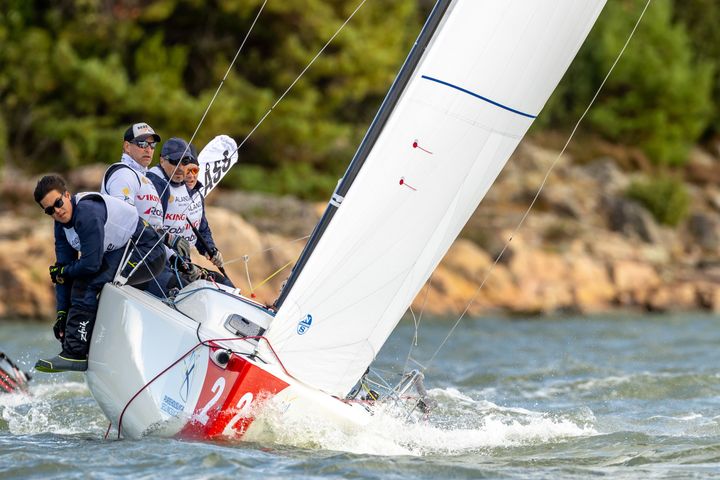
(485,75)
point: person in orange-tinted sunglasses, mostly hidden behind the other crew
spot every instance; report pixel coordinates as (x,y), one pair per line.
(198,222)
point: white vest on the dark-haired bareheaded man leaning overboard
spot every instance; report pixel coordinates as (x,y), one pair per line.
(121,222)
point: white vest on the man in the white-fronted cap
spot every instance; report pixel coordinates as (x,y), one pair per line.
(146,199)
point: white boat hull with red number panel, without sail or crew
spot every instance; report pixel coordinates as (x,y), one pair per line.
(151,374)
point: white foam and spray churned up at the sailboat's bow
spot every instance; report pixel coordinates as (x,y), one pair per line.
(459,425)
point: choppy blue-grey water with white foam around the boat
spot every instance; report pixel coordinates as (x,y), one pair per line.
(621,397)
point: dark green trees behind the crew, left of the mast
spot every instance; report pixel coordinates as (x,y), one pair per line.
(77,72)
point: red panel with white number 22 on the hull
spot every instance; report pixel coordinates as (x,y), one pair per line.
(229,398)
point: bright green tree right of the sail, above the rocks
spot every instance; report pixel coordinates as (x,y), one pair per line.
(659,95)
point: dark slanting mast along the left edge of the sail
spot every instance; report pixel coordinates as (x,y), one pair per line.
(426,35)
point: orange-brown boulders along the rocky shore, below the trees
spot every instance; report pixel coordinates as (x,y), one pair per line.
(583,248)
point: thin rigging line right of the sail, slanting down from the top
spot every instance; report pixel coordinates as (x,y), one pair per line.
(542,185)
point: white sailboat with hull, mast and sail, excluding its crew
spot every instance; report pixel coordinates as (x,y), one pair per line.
(203,363)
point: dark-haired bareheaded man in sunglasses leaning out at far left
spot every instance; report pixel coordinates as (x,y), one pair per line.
(99,227)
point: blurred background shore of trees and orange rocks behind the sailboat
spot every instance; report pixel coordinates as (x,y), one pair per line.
(627,220)
